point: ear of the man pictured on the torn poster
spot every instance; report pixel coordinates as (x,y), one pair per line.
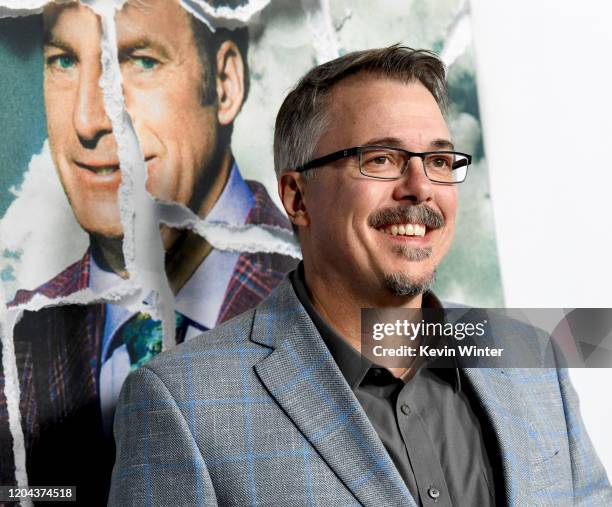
(230,82)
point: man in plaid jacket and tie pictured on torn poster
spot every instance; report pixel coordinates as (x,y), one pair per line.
(183,88)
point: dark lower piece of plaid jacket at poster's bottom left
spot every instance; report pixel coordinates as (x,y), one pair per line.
(57,353)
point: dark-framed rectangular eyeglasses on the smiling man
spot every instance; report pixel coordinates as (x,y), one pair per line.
(386,163)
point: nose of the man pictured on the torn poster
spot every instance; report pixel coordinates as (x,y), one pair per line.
(89,117)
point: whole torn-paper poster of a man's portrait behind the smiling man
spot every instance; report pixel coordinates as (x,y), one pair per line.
(138,192)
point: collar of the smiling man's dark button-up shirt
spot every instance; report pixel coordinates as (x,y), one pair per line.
(351,363)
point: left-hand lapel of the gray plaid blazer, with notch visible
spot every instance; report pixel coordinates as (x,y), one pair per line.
(303,378)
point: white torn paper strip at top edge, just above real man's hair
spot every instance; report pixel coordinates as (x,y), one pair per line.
(324,38)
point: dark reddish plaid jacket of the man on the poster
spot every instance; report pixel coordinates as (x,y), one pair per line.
(58,353)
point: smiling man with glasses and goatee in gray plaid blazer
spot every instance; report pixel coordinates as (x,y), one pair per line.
(279,407)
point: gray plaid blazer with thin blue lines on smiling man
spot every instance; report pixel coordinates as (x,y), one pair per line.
(256,412)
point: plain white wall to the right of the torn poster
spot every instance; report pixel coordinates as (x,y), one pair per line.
(545,82)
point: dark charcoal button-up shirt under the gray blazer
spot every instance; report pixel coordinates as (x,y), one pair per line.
(431,425)
